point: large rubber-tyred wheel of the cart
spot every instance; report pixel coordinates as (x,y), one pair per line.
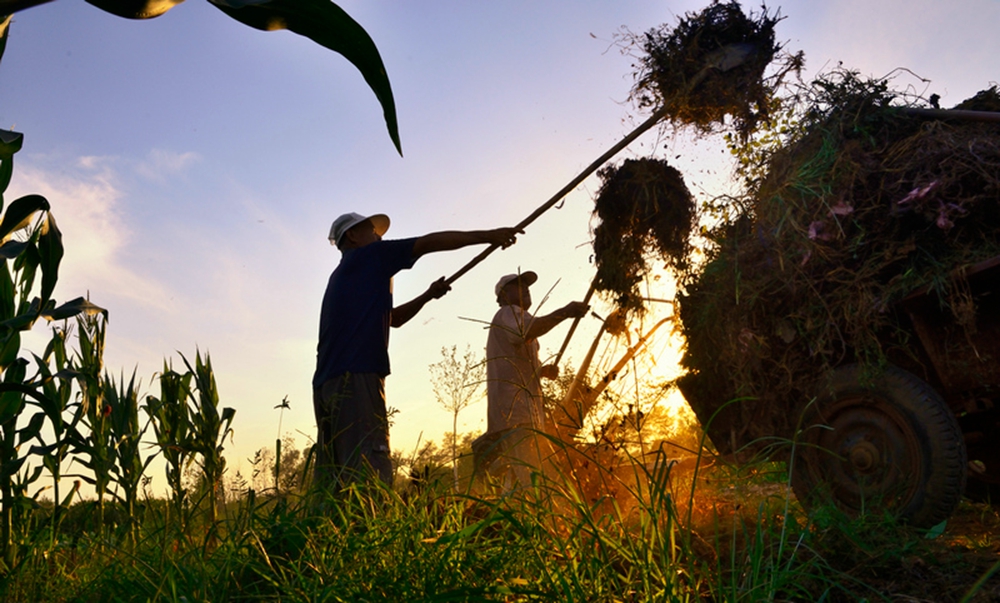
(887,444)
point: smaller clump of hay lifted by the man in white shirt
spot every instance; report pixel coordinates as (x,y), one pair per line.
(646,213)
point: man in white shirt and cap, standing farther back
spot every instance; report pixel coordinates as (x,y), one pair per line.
(515,412)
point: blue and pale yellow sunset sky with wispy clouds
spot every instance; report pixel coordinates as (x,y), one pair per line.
(194,166)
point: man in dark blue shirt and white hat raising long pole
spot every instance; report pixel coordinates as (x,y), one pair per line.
(352,358)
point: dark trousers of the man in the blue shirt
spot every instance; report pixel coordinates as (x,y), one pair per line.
(353,430)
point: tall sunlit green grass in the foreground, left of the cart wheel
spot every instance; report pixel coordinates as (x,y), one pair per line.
(545,542)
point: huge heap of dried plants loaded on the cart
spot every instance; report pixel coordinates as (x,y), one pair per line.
(860,206)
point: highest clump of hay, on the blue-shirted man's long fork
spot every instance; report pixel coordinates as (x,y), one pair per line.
(672,72)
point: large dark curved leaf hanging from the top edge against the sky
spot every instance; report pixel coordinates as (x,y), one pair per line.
(329,26)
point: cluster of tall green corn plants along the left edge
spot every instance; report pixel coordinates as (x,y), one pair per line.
(71,412)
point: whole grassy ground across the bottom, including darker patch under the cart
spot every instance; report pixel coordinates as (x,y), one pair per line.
(728,535)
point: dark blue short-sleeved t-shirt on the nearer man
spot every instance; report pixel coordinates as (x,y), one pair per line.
(357,308)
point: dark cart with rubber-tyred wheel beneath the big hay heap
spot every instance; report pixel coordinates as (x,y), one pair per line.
(914,437)
